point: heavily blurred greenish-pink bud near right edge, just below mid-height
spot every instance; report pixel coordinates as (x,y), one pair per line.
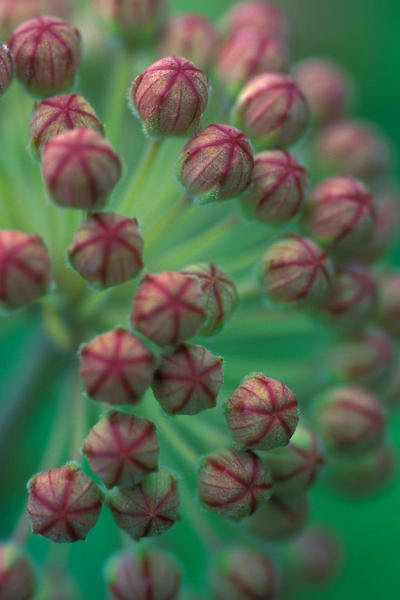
(367,358)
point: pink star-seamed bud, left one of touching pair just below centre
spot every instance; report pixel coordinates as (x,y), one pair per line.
(116,367)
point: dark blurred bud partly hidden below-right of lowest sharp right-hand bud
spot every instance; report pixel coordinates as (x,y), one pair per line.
(280,518)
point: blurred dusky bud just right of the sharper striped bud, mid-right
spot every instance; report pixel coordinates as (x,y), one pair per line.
(353,296)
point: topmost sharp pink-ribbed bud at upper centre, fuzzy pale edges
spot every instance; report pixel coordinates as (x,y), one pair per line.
(170,97)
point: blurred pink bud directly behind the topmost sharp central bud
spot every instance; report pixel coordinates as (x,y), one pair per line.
(192,36)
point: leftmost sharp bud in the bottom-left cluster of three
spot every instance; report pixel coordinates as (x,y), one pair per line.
(64,504)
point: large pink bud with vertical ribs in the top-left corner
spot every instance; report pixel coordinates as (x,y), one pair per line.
(47,54)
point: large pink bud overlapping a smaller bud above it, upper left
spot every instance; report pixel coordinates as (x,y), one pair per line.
(80,169)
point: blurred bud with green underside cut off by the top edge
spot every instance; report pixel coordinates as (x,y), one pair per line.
(135,21)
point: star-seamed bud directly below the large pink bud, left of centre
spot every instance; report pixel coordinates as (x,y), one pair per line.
(107,250)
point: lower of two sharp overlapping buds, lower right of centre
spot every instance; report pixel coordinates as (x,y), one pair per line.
(232,483)
